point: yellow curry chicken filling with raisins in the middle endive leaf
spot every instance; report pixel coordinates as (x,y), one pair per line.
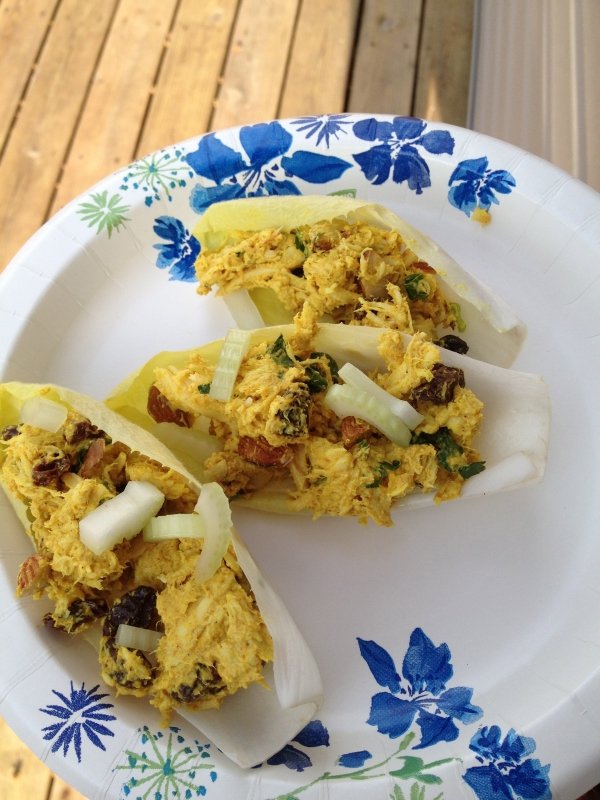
(279,428)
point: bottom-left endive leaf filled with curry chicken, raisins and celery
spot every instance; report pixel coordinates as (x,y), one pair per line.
(127,543)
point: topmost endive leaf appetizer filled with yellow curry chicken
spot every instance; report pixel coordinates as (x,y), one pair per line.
(352,262)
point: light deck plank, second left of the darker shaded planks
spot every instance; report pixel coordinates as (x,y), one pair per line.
(256,63)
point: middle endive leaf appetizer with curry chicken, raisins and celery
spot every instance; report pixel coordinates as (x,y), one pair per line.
(329,419)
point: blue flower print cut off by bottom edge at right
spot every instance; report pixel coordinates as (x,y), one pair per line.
(506,771)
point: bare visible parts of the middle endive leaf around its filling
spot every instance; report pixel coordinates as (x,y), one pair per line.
(514,435)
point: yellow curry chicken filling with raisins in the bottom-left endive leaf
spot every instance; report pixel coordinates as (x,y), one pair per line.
(210,638)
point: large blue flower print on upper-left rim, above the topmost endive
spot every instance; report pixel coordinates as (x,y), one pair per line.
(264,167)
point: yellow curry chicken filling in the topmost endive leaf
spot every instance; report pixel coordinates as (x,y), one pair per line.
(350,272)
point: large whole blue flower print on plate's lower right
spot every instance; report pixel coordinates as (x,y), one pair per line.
(419,694)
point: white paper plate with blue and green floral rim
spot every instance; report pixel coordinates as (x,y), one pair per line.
(460,650)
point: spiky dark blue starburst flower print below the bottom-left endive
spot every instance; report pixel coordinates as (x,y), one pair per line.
(79,713)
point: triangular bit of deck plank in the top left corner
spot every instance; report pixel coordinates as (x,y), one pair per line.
(23,25)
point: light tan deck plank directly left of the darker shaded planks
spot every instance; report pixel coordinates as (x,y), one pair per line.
(321,58)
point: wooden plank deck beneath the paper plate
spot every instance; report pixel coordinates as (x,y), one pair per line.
(88,86)
